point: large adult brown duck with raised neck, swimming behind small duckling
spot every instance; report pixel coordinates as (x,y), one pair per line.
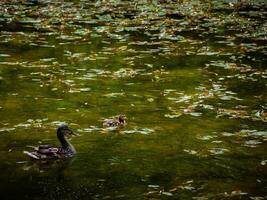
(47,151)
